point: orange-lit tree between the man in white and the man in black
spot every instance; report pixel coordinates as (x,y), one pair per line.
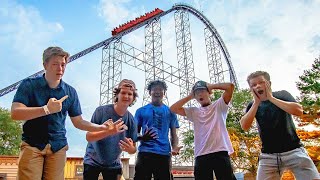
(246,144)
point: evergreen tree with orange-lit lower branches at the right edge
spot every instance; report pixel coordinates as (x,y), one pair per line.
(309,86)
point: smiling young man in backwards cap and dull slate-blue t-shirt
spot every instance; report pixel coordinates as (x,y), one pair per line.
(105,147)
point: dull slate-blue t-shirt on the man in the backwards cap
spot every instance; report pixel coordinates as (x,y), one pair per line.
(106,152)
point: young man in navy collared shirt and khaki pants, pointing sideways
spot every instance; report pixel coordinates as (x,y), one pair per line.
(42,103)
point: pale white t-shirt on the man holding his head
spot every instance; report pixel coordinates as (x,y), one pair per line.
(210,132)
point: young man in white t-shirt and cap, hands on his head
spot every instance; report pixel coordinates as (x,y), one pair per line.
(211,139)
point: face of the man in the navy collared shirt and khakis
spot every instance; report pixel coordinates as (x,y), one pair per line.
(55,68)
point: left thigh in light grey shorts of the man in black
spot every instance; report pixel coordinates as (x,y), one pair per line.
(269,167)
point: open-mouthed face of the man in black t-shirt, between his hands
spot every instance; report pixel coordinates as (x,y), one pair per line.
(258,85)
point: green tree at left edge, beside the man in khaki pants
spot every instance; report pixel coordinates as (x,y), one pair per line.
(10,132)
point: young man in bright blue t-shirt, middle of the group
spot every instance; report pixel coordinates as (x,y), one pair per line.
(155,120)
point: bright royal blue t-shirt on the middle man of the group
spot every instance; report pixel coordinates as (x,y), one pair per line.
(160,119)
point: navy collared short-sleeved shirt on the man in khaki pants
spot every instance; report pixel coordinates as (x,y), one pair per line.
(35,92)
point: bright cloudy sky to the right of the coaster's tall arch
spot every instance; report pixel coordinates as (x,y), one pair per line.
(269,35)
